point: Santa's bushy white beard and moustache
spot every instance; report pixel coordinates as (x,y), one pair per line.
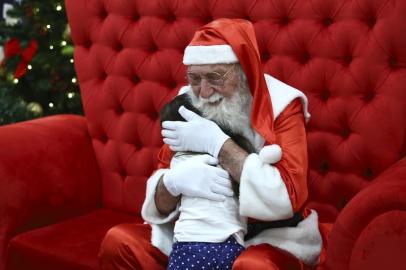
(232,113)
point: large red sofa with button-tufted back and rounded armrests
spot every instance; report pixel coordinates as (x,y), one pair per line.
(65,180)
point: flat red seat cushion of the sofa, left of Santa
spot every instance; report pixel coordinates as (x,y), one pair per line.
(72,244)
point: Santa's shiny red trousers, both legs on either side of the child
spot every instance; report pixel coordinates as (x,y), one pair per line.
(128,247)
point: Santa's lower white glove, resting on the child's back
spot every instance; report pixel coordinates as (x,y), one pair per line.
(196,177)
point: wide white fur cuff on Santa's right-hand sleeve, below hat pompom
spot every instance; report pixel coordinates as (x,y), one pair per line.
(263,193)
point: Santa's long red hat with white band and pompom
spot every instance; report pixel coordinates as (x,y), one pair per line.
(226,41)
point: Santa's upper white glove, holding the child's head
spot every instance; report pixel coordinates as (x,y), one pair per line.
(197,134)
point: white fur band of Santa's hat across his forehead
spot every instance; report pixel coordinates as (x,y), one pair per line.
(214,54)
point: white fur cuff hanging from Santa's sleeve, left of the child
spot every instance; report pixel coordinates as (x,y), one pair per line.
(162,226)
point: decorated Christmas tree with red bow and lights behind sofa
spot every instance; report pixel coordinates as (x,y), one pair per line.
(37,76)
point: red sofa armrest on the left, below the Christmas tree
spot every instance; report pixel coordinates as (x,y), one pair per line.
(48,172)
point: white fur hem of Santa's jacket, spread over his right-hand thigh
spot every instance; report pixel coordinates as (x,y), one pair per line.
(303,241)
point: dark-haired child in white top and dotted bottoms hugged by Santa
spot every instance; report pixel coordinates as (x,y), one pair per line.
(211,233)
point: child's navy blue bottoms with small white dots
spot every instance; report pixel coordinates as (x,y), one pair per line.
(204,255)
